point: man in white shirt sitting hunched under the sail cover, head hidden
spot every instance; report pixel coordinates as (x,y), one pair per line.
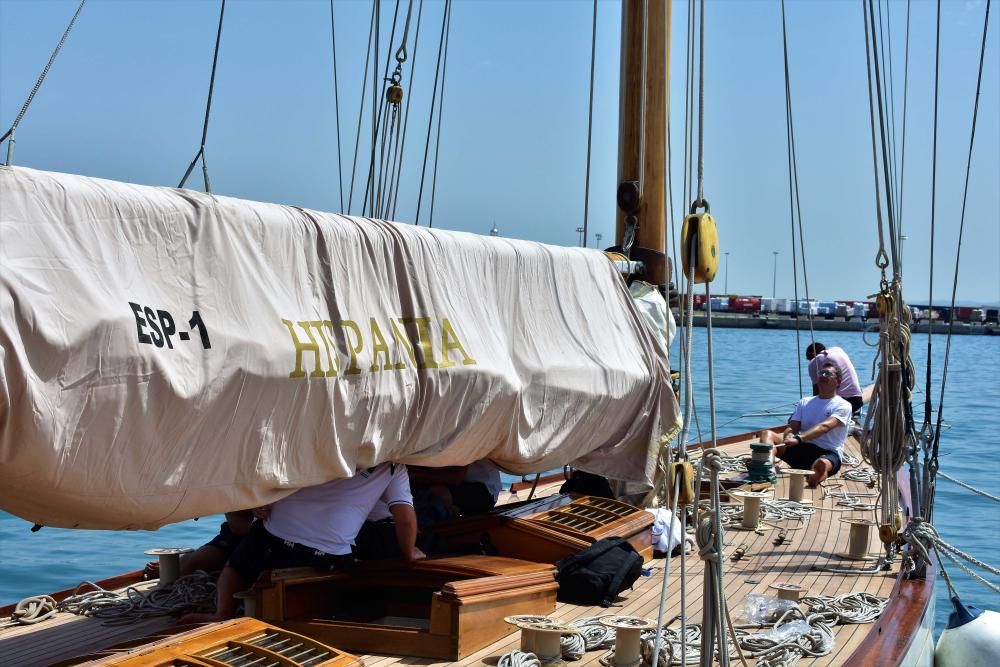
(316,526)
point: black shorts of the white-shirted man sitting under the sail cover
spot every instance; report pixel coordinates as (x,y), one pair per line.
(260,550)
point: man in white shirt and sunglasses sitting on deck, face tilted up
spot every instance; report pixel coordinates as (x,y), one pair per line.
(816,431)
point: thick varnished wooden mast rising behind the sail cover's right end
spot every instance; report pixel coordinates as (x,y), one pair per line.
(644,104)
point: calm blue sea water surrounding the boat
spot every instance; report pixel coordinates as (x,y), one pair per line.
(756,383)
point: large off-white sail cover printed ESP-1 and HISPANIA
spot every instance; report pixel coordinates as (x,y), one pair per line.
(169,354)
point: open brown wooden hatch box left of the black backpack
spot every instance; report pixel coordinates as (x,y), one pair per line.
(445,608)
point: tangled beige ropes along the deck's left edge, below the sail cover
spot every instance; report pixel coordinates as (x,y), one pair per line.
(194,592)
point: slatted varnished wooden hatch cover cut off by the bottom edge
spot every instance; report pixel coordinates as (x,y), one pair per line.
(242,641)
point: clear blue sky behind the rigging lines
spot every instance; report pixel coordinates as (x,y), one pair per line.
(125,100)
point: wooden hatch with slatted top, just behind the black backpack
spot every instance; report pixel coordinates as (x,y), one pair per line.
(549,529)
